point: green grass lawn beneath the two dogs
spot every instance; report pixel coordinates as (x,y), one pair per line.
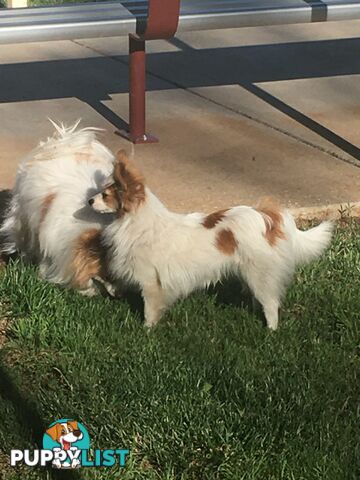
(208,394)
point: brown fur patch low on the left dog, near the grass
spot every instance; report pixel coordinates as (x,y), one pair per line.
(88,260)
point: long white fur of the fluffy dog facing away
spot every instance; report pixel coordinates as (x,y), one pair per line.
(73,165)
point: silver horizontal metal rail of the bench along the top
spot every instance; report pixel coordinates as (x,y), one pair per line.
(115,18)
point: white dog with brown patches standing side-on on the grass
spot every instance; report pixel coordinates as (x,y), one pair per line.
(169,255)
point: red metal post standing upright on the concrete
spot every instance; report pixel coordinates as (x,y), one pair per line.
(137,79)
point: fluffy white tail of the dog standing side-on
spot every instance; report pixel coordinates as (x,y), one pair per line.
(310,244)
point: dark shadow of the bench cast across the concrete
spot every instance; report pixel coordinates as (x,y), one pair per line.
(94,80)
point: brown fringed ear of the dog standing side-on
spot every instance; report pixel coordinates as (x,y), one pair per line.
(129,182)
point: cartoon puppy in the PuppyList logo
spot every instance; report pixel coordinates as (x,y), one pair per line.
(66,433)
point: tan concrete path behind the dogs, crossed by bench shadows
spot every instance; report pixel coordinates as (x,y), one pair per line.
(240,113)
